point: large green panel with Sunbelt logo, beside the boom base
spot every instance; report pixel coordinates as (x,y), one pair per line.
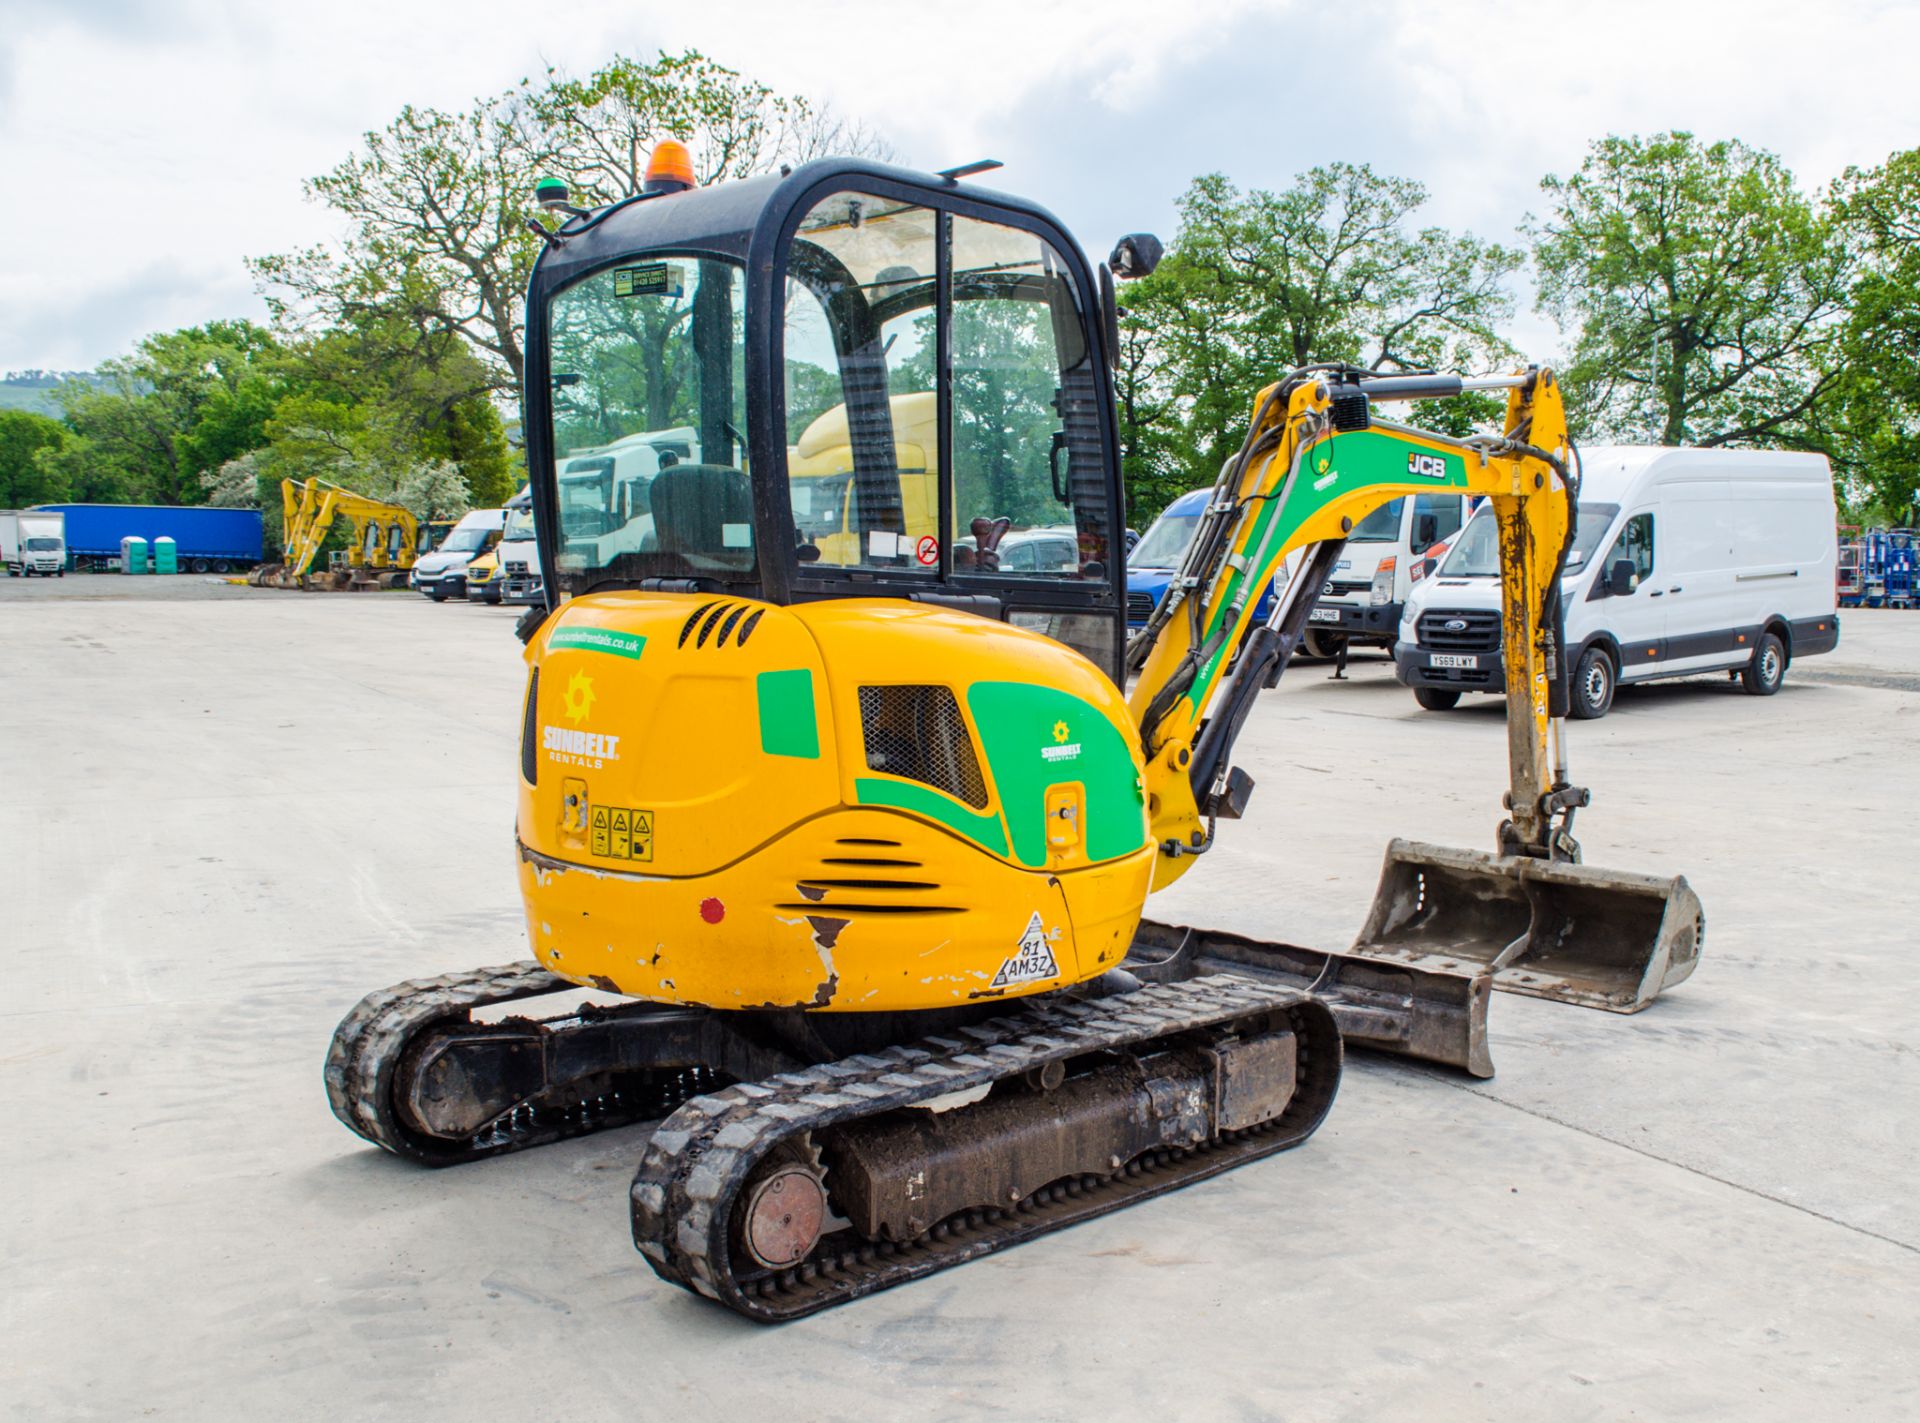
(1038,738)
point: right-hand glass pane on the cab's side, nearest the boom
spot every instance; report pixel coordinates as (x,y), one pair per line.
(1028,487)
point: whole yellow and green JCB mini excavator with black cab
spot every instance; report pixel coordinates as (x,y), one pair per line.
(832,779)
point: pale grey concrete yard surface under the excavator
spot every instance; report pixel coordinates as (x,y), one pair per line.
(231,813)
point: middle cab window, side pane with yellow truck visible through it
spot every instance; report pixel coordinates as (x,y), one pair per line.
(863,422)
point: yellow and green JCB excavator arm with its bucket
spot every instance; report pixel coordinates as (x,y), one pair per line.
(1314,464)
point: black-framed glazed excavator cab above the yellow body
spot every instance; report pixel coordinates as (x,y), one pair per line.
(846,381)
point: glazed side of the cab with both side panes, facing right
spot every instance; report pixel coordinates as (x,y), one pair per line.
(948,414)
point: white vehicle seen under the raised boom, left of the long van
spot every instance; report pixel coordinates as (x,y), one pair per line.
(1385,558)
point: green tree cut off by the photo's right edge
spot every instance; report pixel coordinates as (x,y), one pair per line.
(1877,400)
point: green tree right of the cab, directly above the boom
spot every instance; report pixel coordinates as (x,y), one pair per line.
(1259,283)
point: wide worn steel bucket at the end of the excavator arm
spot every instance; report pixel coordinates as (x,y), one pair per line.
(1566,932)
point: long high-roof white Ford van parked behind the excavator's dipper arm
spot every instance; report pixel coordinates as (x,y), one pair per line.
(1685,562)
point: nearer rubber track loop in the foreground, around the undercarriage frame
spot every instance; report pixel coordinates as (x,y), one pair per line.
(700,1159)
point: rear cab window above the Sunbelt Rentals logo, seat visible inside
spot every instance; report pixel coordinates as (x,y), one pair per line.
(648,368)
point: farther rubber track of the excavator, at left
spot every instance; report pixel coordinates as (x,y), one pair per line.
(373,1038)
